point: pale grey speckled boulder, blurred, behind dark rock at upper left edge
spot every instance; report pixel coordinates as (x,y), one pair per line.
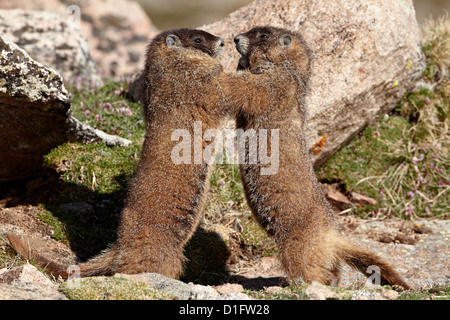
(51,41)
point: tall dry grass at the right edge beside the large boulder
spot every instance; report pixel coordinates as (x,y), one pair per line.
(421,182)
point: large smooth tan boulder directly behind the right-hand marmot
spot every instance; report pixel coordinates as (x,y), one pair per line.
(366,55)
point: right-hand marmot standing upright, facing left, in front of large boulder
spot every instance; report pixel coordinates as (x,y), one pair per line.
(290,204)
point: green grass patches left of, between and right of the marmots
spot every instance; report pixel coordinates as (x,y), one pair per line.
(401,160)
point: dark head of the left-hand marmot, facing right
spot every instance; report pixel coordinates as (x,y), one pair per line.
(190,38)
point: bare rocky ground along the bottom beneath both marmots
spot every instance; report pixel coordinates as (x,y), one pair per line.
(419,250)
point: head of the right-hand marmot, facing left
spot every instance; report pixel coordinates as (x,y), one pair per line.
(262,47)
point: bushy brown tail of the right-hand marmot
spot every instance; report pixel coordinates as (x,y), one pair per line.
(368,263)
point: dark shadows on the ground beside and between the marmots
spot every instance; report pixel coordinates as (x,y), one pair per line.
(87,221)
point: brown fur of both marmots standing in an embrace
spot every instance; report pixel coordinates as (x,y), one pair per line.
(165,200)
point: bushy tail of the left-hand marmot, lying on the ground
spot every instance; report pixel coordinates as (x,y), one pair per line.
(100,265)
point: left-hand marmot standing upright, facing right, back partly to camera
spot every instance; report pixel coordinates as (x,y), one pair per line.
(164,199)
